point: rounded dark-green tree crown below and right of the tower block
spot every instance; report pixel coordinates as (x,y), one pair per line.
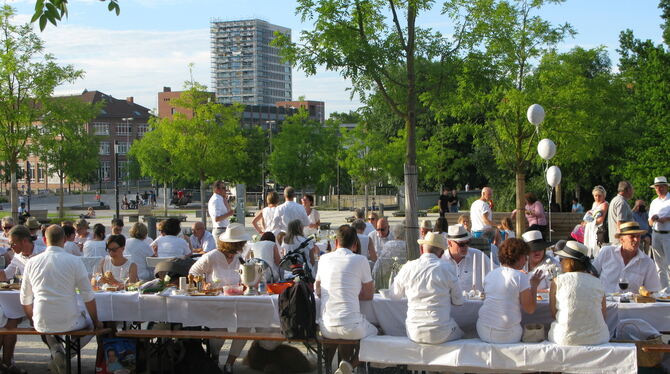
(304,151)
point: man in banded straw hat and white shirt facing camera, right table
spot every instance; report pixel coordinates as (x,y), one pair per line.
(627,262)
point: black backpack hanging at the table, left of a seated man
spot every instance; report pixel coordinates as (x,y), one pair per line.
(297,312)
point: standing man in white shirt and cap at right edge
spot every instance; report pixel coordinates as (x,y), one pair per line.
(659,220)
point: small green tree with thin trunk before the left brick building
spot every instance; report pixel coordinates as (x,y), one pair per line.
(65,145)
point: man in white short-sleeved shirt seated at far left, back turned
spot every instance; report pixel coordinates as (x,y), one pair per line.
(49,297)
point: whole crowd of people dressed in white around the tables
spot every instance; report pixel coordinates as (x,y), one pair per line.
(368,255)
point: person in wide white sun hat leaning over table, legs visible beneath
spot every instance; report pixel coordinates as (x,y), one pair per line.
(220,268)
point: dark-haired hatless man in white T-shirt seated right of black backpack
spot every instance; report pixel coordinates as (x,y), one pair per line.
(342,280)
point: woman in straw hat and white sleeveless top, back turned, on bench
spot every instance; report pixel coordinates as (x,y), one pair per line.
(577,300)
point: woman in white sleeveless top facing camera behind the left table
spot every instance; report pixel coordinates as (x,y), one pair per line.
(116,270)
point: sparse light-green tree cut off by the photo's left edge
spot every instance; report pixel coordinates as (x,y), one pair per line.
(28,77)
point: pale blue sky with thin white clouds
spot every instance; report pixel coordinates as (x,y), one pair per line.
(150,44)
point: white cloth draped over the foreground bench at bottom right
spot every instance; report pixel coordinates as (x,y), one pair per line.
(473,355)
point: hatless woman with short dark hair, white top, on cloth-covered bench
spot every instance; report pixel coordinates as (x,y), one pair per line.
(508,290)
